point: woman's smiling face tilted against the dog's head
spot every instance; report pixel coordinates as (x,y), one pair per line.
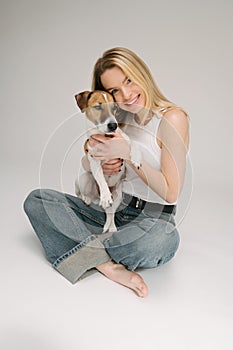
(127,94)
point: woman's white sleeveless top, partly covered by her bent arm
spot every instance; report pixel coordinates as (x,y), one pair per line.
(145,137)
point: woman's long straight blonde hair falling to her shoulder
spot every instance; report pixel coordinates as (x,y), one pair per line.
(135,69)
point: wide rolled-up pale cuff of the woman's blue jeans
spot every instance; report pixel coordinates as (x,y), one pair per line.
(80,260)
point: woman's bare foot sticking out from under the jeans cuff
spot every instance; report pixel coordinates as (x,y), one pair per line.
(118,273)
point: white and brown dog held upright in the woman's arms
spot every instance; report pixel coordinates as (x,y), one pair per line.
(106,190)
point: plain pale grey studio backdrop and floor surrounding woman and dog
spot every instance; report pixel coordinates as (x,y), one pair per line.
(48,49)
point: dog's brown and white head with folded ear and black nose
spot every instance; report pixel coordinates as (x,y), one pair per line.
(100,108)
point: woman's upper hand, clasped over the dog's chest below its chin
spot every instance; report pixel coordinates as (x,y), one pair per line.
(107,148)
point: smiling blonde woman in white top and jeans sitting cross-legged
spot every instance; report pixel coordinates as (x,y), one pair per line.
(71,232)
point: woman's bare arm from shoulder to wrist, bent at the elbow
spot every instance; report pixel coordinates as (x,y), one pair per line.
(173,137)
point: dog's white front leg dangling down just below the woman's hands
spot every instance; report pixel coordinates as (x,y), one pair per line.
(105,194)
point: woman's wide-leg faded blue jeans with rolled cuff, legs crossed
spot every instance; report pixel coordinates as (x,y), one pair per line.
(71,234)
